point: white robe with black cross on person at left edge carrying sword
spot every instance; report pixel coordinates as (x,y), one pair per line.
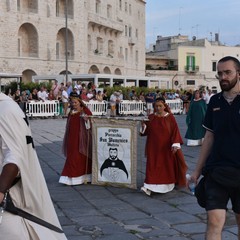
(30,193)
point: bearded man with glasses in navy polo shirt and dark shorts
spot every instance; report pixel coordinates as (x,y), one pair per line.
(221,149)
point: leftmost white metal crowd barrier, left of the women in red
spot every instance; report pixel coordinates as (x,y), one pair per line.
(42,109)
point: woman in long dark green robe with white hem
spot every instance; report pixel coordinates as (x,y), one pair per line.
(195,116)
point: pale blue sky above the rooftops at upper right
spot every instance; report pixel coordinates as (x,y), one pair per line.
(200,18)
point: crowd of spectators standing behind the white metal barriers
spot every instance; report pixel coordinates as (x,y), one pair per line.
(88,92)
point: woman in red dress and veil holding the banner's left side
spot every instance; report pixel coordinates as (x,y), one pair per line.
(77,145)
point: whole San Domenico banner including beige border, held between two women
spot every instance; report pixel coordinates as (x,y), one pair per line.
(114,152)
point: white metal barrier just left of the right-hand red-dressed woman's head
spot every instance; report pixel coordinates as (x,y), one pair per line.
(133,107)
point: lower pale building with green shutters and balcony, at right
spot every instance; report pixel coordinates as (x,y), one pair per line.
(188,64)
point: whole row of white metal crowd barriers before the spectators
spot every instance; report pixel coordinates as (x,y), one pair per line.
(126,107)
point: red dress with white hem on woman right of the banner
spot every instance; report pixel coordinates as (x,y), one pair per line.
(161,169)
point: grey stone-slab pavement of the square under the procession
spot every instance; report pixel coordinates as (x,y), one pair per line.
(102,212)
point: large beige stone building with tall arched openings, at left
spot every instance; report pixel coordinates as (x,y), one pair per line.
(55,37)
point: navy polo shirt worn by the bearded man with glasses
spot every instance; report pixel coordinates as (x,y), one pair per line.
(223,120)
